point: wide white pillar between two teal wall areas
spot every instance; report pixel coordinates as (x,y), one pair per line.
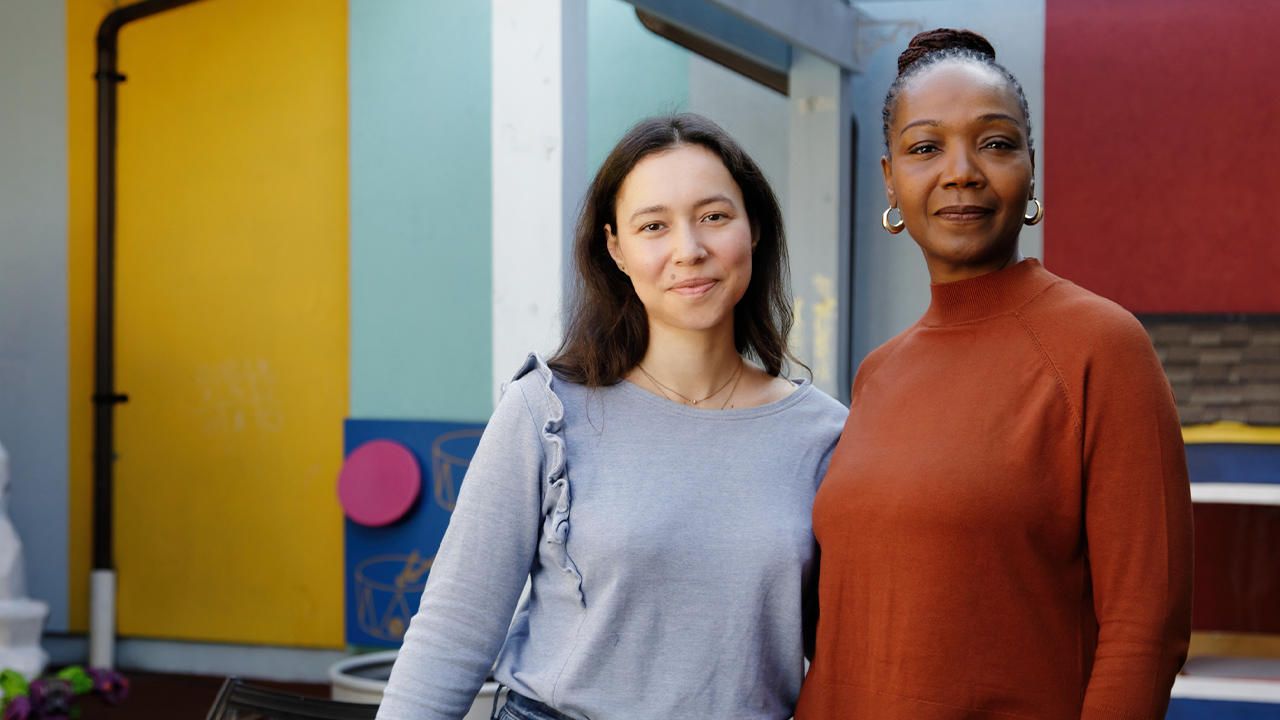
(540,170)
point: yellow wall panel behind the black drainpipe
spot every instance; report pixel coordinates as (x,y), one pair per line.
(232,318)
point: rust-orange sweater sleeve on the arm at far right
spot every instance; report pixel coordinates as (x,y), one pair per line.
(1139,526)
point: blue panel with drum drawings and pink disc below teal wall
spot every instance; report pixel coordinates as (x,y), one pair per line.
(395,525)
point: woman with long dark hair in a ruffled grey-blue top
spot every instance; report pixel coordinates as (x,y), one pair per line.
(655,480)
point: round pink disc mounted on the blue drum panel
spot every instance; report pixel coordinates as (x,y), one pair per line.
(380,484)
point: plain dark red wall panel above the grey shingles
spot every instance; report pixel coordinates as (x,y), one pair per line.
(1163,152)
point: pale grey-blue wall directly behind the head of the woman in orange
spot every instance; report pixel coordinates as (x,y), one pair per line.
(892,282)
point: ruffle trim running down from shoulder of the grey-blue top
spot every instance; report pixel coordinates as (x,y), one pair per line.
(556,490)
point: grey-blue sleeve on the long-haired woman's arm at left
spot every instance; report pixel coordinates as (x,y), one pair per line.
(478,575)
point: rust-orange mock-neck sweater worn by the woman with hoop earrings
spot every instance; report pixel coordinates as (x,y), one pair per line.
(1005,526)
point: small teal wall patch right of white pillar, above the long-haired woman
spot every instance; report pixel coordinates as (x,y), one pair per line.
(632,74)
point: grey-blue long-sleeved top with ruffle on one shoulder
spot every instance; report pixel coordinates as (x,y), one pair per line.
(669,550)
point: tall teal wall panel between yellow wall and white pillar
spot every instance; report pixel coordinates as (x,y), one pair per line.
(420,221)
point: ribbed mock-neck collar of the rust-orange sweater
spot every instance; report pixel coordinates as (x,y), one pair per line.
(988,297)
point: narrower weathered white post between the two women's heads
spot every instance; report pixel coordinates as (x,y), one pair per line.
(819,218)
